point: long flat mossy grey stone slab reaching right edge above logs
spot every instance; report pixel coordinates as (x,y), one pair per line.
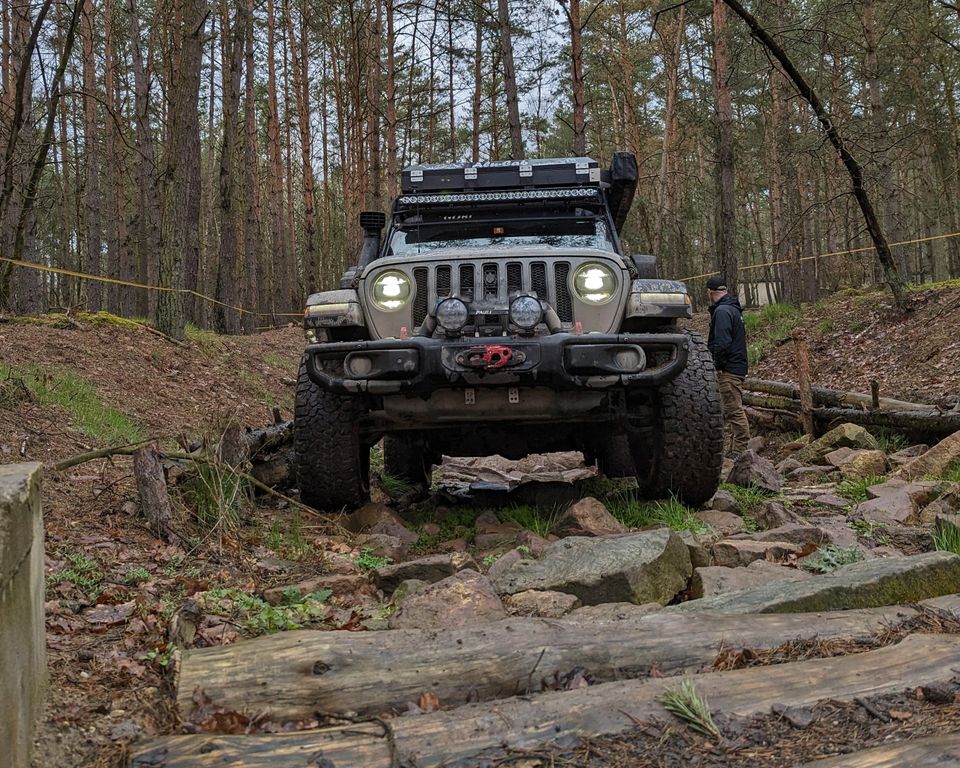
(867,584)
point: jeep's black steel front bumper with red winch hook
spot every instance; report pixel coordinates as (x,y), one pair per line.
(419,365)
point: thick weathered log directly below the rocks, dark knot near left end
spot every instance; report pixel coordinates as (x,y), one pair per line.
(291,675)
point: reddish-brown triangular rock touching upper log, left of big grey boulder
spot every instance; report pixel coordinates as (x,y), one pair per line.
(460,600)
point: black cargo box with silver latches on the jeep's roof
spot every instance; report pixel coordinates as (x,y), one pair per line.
(501,174)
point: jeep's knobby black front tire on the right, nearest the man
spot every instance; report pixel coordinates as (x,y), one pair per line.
(688,450)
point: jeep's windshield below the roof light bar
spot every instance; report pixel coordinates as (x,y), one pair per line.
(567,232)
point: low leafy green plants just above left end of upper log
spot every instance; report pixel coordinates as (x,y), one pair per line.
(255,616)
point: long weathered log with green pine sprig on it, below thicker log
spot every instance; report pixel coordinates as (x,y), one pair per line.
(444,737)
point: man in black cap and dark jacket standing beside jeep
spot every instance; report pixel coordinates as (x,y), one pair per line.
(728,345)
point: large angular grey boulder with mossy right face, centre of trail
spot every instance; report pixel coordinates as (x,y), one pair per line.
(651,566)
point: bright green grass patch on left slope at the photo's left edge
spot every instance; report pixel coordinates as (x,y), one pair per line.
(89,415)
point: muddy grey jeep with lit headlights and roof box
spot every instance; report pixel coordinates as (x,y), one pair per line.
(500,315)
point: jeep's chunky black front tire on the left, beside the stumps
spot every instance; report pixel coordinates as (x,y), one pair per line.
(333,463)
